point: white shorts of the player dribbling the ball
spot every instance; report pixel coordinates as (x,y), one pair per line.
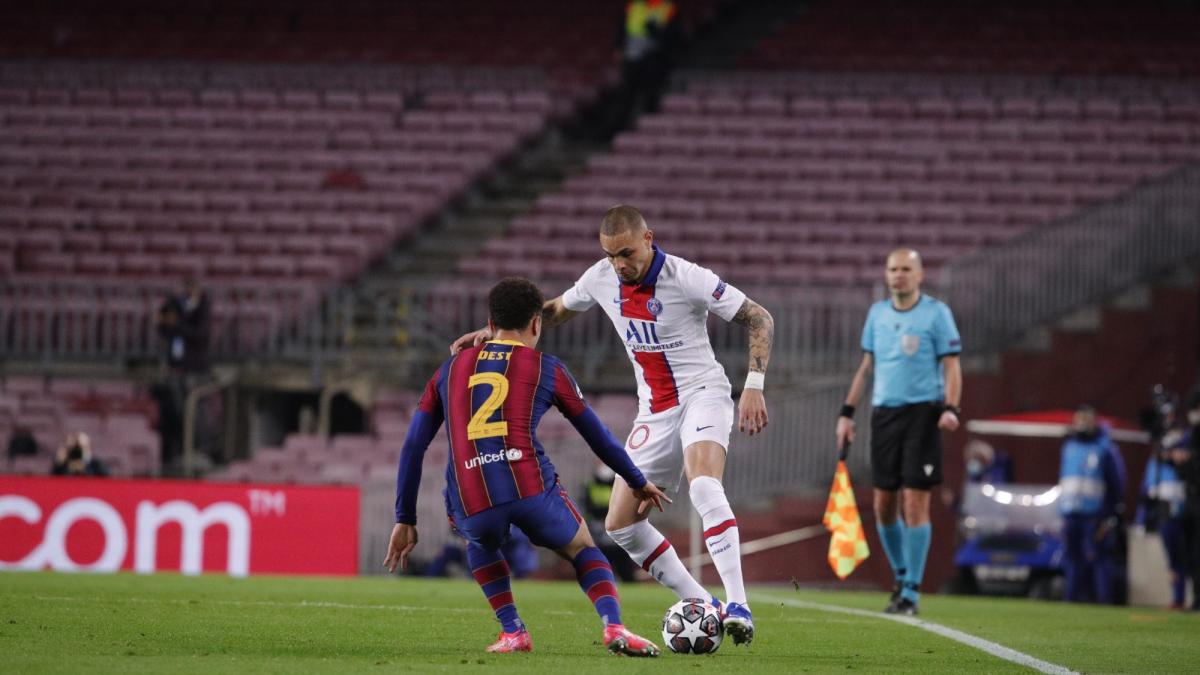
(658,440)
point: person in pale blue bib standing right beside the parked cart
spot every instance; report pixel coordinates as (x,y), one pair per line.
(1091,483)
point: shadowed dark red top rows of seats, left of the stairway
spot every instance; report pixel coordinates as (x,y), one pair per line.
(571,43)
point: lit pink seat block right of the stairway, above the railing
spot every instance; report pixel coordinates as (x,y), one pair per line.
(814,189)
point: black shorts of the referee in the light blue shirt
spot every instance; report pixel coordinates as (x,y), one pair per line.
(907,447)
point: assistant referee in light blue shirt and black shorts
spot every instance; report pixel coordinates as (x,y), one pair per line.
(913,345)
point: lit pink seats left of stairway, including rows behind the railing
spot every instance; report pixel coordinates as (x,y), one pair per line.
(262,194)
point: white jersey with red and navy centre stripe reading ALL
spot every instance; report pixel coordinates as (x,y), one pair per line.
(664,325)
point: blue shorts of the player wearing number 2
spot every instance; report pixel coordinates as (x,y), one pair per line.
(550,519)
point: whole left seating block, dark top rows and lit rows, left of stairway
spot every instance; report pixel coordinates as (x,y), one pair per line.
(275,181)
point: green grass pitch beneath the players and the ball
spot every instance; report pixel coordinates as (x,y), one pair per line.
(169,624)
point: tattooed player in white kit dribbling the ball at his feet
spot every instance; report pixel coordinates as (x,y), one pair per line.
(659,306)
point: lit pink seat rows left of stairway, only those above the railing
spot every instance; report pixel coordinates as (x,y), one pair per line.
(193,181)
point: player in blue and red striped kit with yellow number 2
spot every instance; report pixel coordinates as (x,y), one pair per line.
(491,398)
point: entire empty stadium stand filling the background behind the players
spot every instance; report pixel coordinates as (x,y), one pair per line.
(280,150)
